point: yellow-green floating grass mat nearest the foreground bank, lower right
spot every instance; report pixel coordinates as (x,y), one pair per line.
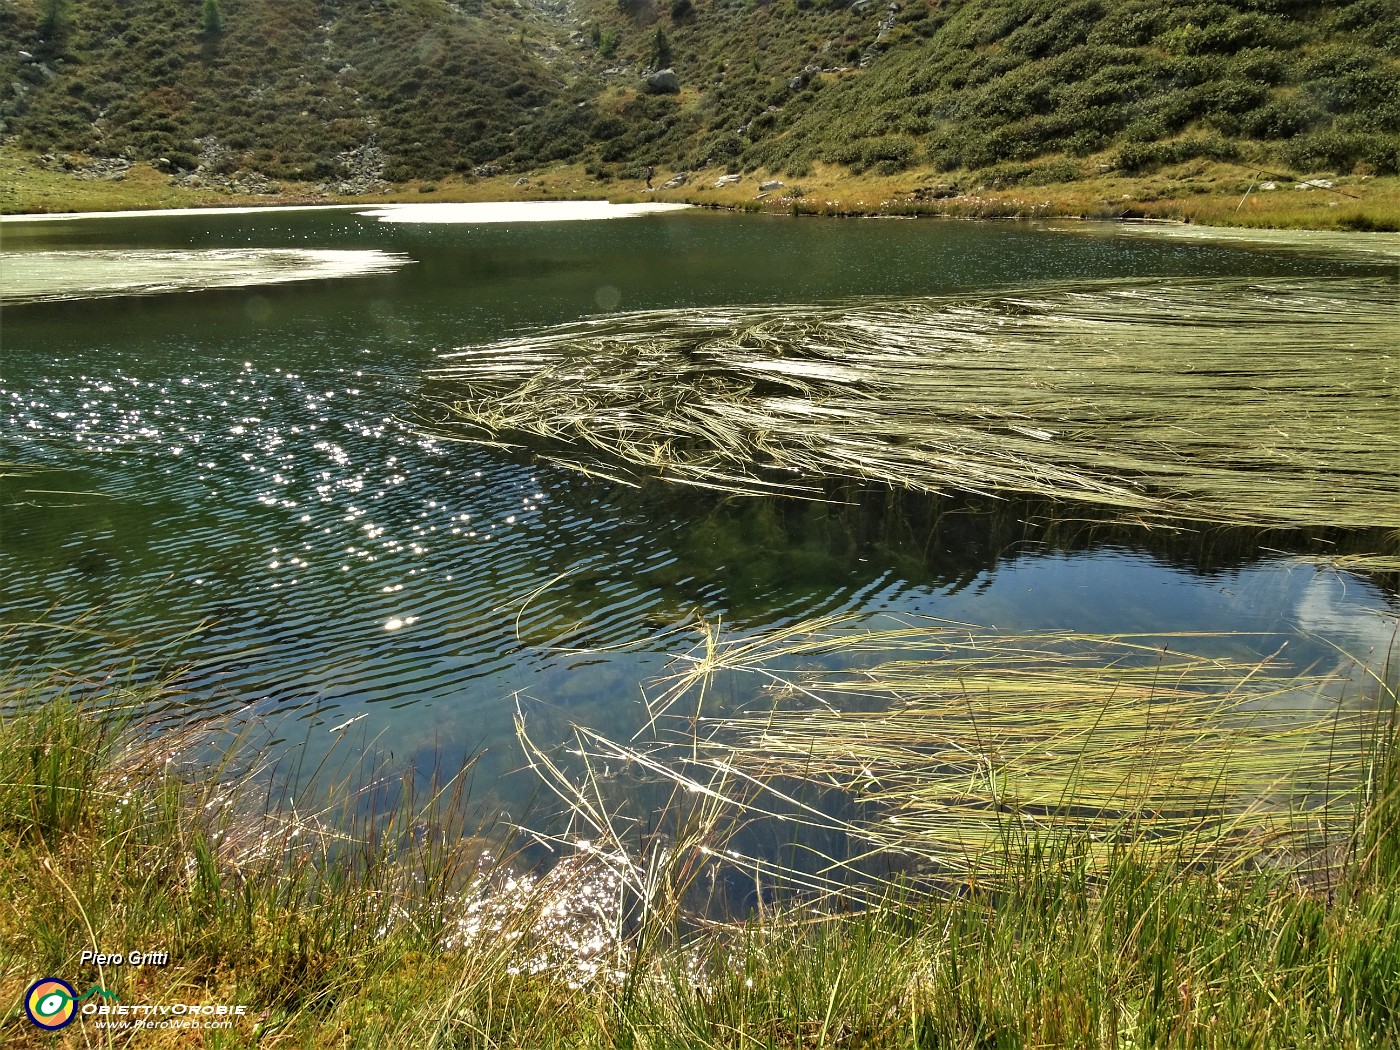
(955,745)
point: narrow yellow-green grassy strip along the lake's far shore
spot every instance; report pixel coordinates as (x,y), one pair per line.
(1198,194)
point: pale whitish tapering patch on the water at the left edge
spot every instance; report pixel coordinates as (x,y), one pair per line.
(82,275)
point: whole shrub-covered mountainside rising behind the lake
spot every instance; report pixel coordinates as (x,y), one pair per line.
(395,90)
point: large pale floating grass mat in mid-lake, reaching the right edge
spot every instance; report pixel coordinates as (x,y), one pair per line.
(1261,402)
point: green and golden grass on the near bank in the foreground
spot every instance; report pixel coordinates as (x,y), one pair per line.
(373,929)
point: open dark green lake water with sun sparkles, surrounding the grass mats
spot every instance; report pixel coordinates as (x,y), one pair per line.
(239,489)
